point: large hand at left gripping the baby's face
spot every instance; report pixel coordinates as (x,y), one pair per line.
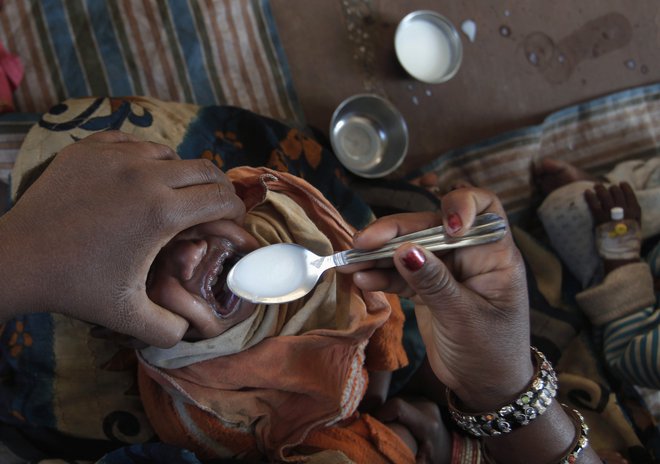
(81,240)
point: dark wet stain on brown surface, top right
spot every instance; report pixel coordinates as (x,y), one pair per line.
(557,60)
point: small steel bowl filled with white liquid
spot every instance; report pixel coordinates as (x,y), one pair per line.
(428,46)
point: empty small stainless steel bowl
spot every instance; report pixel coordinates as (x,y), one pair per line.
(369,135)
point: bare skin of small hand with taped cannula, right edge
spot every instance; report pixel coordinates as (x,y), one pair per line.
(601,200)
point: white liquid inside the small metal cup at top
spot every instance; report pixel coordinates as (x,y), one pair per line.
(423,50)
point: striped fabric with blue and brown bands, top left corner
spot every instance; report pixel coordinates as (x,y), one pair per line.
(195,51)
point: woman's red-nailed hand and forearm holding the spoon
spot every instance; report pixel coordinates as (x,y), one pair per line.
(474,318)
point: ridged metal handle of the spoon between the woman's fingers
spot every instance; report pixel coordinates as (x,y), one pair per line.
(487,228)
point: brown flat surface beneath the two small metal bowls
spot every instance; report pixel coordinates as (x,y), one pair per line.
(529,58)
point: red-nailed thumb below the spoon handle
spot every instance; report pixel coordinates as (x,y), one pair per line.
(427,275)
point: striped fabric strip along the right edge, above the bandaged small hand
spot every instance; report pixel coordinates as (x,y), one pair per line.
(594,136)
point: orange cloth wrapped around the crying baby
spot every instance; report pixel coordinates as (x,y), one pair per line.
(269,397)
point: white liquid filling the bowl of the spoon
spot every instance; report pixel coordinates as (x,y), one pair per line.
(269,272)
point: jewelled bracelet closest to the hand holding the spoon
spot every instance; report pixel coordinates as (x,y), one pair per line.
(533,402)
